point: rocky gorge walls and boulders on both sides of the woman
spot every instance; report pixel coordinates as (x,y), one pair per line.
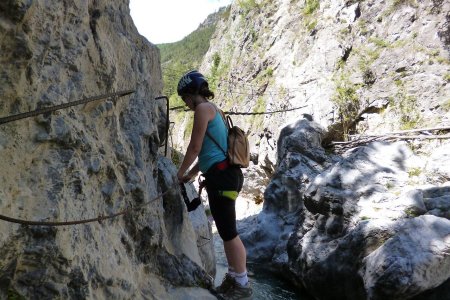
(354,172)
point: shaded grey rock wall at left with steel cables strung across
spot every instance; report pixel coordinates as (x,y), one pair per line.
(90,160)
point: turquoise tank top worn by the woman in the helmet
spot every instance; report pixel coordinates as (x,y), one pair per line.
(210,152)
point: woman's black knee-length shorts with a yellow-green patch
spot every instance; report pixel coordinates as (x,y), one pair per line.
(220,185)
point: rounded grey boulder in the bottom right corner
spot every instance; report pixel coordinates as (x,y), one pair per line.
(411,262)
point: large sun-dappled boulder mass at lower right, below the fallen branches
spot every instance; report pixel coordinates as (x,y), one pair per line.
(361,216)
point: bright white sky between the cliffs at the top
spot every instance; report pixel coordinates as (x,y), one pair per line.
(167,21)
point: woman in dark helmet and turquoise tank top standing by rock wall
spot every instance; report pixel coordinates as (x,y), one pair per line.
(223,181)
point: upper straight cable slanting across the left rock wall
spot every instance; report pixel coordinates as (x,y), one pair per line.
(44,110)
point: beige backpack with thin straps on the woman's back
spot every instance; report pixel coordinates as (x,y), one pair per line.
(238,145)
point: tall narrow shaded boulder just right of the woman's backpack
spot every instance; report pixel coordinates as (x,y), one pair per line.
(266,235)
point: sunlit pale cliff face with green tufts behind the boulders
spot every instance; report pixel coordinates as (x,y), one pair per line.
(372,66)
